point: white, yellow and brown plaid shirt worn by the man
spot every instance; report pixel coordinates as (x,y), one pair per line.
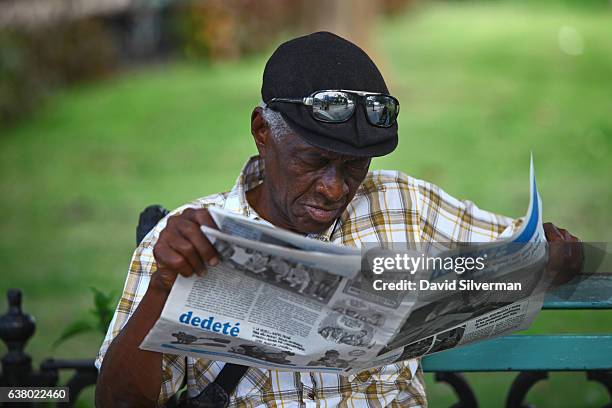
(388,207)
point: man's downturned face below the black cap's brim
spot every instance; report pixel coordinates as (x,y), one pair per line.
(309,187)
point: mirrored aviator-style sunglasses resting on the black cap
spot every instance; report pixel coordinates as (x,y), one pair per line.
(337,106)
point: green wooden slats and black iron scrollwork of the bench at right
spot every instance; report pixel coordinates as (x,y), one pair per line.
(533,356)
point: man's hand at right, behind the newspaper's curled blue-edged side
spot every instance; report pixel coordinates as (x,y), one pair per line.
(566,254)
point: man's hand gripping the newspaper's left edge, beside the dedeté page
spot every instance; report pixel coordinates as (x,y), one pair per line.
(183,249)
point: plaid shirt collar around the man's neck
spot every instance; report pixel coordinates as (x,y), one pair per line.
(251,176)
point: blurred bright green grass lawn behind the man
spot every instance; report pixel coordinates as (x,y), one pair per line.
(481,87)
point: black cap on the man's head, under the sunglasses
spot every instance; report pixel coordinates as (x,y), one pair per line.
(322,61)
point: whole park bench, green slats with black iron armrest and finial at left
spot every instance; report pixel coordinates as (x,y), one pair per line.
(532,356)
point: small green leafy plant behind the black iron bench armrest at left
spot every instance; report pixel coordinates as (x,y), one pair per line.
(98,320)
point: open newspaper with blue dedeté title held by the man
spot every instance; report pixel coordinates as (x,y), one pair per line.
(279,300)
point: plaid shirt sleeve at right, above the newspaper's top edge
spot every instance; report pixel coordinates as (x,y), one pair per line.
(446,219)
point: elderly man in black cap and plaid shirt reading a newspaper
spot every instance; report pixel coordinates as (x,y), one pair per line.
(326,112)
